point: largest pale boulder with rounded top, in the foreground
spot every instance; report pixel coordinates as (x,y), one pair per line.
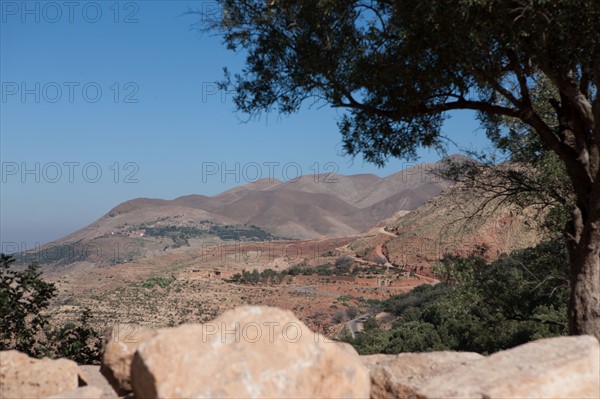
(246,352)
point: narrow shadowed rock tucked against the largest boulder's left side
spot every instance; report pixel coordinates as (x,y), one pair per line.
(120,344)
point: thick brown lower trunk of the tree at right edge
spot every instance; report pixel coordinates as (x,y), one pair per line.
(584,253)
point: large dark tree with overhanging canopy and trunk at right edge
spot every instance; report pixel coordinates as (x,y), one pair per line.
(398,67)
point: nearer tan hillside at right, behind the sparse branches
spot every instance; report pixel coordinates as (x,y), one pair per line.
(455,221)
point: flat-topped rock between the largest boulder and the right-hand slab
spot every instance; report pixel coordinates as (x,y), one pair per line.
(400,376)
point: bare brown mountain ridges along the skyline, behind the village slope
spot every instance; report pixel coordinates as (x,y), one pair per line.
(307,207)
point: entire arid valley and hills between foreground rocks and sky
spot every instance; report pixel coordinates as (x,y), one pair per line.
(166,262)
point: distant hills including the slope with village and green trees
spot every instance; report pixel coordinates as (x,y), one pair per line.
(312,206)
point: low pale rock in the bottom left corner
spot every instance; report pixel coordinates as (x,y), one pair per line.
(24,377)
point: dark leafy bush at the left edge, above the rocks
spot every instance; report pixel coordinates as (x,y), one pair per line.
(24,297)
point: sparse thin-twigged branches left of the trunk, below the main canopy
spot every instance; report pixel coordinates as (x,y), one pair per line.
(525,173)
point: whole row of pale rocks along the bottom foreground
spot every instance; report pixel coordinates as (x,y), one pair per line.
(265,352)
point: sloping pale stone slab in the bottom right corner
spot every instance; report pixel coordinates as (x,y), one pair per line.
(563,367)
